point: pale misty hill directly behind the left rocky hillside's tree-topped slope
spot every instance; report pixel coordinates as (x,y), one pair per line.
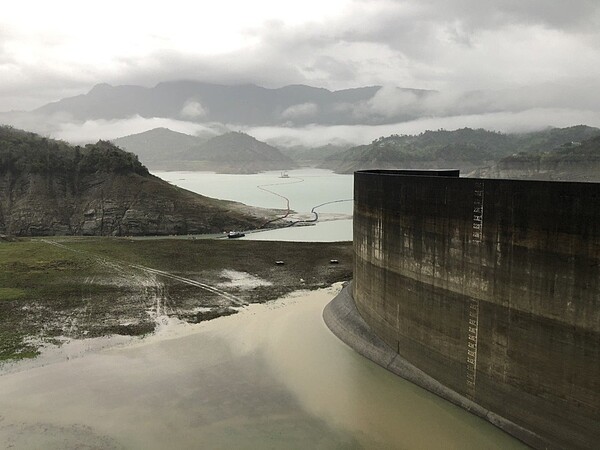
(158,144)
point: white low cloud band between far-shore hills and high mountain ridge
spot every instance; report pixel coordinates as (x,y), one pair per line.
(437,110)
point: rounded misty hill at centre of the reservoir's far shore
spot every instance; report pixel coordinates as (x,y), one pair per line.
(236,152)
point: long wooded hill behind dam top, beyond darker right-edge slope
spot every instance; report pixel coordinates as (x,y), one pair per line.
(465,149)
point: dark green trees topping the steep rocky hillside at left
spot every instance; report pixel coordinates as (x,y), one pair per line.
(21,151)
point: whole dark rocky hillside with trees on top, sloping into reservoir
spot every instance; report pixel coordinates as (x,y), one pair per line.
(48,187)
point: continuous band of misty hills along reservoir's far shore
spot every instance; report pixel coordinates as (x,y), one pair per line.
(477,152)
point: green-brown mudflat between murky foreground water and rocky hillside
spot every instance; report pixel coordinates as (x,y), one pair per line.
(90,287)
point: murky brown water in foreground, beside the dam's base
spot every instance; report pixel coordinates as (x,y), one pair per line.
(272,376)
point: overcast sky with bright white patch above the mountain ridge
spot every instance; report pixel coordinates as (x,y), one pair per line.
(545,51)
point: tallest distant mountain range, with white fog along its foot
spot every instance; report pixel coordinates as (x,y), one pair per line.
(301,115)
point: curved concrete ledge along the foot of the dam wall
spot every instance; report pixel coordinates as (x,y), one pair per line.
(344,320)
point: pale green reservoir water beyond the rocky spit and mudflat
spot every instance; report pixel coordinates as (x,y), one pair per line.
(305,189)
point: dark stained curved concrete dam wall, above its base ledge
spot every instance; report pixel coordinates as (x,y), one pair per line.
(491,287)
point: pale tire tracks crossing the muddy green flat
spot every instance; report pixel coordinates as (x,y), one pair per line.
(120,267)
